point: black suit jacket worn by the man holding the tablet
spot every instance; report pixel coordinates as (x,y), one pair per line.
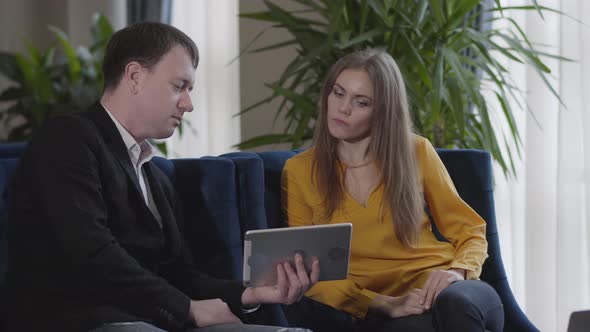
(84,248)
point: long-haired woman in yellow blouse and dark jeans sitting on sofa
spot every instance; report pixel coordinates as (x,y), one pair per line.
(368,168)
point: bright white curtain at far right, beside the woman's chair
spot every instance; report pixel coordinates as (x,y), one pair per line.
(543,213)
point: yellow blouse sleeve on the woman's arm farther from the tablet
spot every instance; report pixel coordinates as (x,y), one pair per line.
(456,220)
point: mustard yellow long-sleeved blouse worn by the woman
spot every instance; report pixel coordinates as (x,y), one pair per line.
(379,263)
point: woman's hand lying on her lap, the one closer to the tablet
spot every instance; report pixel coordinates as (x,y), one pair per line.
(401,306)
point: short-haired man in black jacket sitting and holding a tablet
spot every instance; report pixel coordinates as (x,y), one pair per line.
(94,242)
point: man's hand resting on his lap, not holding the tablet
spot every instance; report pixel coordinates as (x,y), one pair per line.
(212,312)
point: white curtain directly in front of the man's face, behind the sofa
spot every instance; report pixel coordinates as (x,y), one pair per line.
(211,128)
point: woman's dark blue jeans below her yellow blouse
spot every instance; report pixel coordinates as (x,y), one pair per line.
(466,306)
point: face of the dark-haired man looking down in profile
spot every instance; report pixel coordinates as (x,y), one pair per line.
(163,95)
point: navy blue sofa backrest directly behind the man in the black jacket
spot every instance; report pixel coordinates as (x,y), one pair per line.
(208,196)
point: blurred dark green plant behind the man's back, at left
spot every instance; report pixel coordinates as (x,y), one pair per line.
(43,84)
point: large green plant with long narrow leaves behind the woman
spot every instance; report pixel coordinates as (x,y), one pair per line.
(448,60)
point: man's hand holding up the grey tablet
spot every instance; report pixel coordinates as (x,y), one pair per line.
(291,284)
